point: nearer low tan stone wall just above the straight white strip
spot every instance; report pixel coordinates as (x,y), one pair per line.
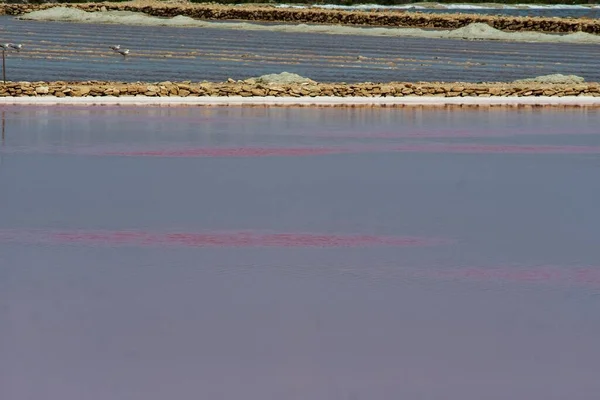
(252,87)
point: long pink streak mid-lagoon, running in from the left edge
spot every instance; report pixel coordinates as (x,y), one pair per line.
(209,239)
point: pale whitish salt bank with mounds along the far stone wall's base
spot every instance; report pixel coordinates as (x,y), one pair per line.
(474,31)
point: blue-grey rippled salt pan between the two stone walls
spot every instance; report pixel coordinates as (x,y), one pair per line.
(77,52)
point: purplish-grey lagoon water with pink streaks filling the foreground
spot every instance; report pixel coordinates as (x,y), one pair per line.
(299,253)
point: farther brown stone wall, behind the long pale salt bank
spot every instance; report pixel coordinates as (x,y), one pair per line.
(387,18)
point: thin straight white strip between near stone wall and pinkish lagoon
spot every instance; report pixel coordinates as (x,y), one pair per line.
(305,101)
